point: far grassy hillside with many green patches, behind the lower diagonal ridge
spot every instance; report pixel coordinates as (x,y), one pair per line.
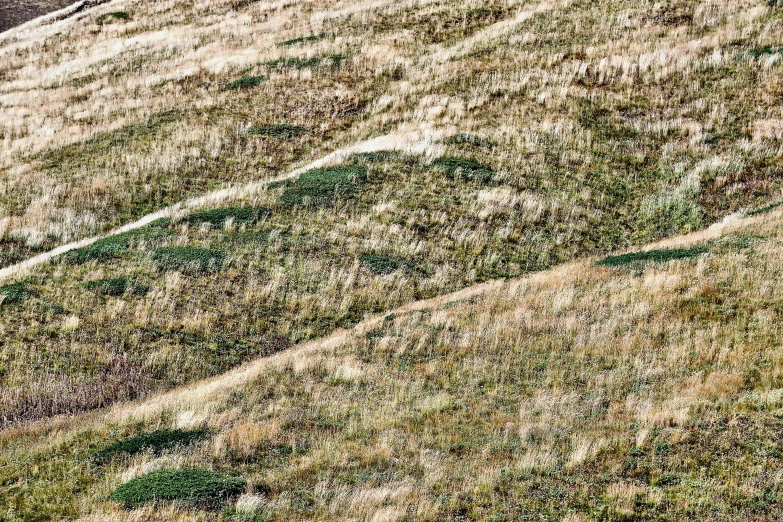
(522,135)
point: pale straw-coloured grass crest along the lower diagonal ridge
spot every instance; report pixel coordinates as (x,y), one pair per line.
(201,394)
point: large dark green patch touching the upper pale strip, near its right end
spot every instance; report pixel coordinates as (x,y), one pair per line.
(321,186)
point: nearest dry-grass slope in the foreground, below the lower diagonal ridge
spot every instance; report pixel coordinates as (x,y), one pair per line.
(640,386)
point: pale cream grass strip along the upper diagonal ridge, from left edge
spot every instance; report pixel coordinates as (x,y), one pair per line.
(414,142)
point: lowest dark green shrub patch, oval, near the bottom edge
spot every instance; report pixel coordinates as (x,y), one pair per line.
(195,487)
